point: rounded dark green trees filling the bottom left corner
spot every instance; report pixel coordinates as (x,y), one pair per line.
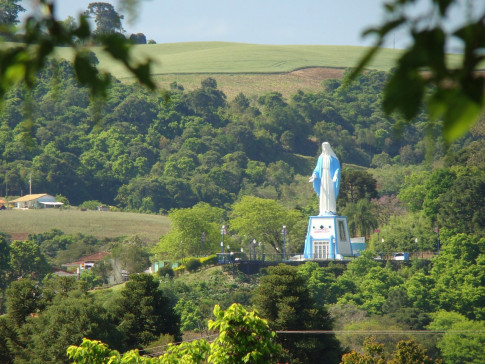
(44,318)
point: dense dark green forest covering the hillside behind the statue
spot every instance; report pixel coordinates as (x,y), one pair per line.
(153,155)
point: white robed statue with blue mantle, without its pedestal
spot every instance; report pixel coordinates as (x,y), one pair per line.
(326,180)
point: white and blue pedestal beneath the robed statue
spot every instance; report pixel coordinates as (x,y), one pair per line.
(327,238)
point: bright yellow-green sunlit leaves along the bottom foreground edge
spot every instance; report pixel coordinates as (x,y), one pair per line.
(243,338)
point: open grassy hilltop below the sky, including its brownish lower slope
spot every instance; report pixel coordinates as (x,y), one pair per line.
(252,69)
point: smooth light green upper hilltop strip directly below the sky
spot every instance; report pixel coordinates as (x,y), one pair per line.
(221,57)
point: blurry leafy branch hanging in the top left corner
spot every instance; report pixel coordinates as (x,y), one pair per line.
(22,61)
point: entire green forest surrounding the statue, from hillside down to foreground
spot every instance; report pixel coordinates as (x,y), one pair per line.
(207,161)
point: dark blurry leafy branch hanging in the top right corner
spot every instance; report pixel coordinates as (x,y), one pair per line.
(456,93)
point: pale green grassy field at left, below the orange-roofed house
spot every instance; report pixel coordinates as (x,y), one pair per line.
(20,223)
